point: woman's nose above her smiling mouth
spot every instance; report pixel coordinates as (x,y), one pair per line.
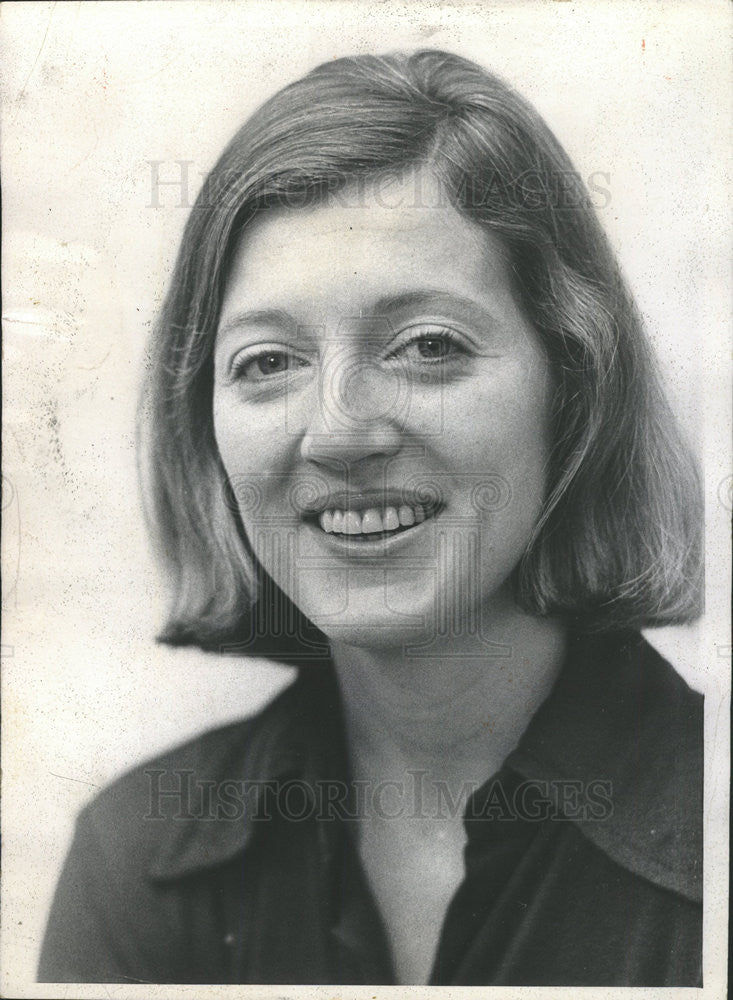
(358,413)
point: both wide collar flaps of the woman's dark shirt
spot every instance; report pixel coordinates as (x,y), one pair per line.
(618,713)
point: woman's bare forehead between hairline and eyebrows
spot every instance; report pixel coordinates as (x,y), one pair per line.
(364,244)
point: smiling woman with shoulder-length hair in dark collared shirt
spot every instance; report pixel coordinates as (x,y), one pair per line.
(404,432)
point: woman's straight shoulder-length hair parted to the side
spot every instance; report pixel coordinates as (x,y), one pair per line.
(618,544)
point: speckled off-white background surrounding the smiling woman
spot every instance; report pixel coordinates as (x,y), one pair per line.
(92,93)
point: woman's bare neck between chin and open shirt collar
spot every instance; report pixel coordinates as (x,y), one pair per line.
(455,714)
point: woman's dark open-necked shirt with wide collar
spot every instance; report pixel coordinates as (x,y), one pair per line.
(232,858)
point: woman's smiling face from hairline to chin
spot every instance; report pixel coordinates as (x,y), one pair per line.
(381,408)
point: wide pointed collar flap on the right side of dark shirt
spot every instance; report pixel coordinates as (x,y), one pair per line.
(620,715)
